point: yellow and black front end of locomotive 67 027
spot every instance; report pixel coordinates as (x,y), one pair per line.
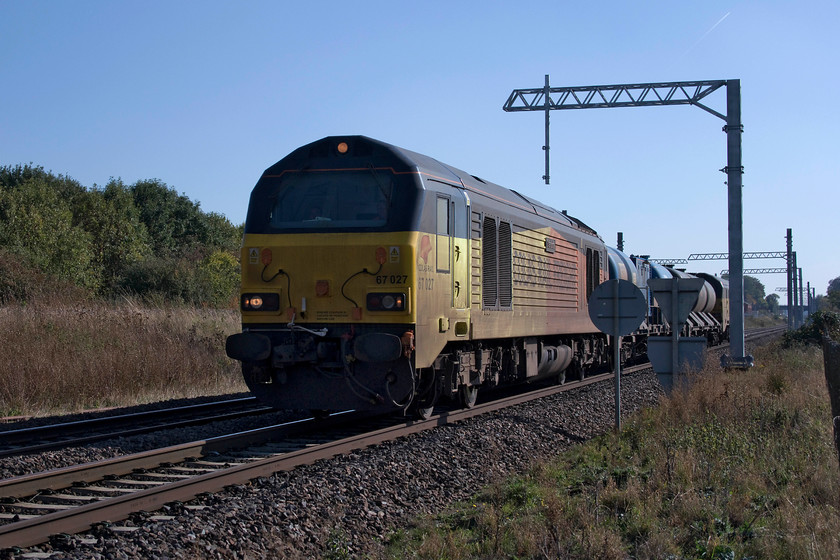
(328,284)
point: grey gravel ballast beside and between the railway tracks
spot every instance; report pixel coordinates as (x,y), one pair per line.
(348,504)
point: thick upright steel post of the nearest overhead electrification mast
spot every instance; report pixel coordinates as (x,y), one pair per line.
(734,169)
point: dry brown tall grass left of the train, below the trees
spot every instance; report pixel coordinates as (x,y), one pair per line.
(62,358)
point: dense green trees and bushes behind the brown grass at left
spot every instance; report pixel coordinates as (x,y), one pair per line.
(142,240)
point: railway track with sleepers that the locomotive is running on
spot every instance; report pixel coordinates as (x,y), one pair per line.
(74,499)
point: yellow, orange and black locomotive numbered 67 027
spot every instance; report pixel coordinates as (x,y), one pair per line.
(377,278)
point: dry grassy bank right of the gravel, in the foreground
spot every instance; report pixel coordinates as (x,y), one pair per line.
(739,465)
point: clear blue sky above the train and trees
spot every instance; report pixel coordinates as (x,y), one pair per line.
(205,95)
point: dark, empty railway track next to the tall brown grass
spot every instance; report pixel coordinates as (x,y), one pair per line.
(56,436)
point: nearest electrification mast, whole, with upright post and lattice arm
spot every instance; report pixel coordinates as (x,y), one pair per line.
(549,98)
